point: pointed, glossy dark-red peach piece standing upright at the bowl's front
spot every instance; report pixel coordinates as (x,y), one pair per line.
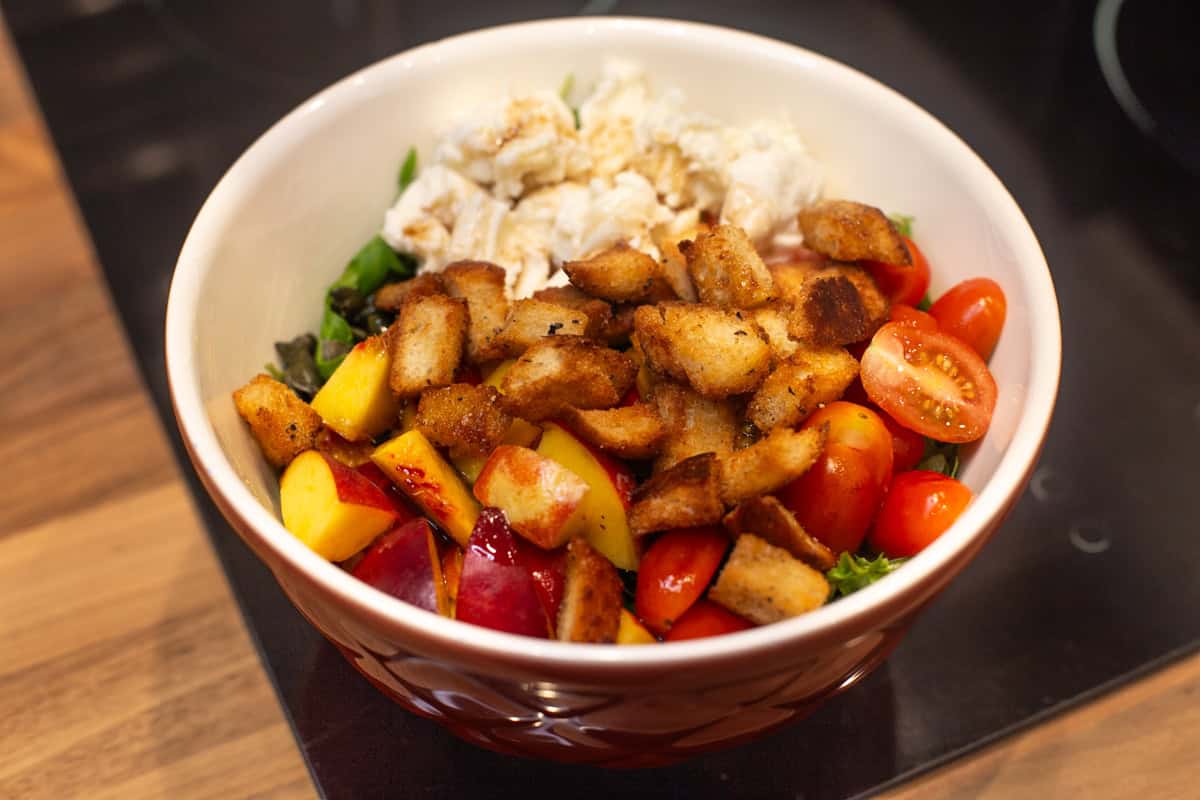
(496,591)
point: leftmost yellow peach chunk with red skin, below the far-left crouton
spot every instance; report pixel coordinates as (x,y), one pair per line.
(332,508)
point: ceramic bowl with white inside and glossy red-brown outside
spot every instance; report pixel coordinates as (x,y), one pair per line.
(286,218)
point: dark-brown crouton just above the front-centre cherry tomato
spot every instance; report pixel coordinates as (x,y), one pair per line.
(686,496)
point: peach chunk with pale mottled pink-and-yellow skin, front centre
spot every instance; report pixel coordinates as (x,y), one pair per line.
(542,500)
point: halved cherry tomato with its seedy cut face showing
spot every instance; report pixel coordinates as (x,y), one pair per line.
(931,383)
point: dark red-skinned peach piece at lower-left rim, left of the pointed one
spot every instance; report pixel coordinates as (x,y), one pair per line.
(401,564)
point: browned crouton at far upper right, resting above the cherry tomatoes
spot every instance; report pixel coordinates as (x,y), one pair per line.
(851,232)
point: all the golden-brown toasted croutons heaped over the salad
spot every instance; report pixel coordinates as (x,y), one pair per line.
(703,364)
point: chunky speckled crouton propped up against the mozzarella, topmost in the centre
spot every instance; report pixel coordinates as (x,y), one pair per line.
(727,269)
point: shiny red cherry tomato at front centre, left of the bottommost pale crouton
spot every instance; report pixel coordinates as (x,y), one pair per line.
(675,573)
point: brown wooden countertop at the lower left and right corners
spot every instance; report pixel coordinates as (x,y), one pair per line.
(125,666)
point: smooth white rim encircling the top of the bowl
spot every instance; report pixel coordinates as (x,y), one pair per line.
(851,615)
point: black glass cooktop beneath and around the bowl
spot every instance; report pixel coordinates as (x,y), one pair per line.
(1094,578)
